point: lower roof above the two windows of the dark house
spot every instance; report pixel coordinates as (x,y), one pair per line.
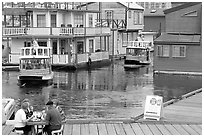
(178,38)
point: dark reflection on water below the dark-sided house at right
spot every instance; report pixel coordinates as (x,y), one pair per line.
(174,86)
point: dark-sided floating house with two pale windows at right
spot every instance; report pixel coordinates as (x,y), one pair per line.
(179,49)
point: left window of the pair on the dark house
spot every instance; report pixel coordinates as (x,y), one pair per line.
(163,50)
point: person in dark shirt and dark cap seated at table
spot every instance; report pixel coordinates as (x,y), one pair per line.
(53,118)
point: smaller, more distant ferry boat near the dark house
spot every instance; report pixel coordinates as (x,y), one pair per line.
(137,54)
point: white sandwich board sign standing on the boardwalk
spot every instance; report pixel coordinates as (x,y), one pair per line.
(153,107)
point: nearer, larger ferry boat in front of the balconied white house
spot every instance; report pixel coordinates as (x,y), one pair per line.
(35,66)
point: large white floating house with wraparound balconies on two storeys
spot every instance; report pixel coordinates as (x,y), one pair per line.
(70,31)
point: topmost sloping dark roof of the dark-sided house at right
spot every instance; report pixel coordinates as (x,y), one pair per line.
(187,4)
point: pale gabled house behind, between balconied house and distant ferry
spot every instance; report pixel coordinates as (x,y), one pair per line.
(126,21)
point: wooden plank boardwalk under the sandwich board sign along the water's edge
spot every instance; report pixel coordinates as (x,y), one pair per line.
(183,117)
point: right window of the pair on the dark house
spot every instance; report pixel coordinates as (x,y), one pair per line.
(179,51)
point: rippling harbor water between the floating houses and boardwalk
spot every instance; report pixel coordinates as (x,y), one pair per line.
(106,92)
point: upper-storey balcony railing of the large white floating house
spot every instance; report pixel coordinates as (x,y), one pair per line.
(54,31)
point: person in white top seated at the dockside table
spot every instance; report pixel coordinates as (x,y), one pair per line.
(20,120)
